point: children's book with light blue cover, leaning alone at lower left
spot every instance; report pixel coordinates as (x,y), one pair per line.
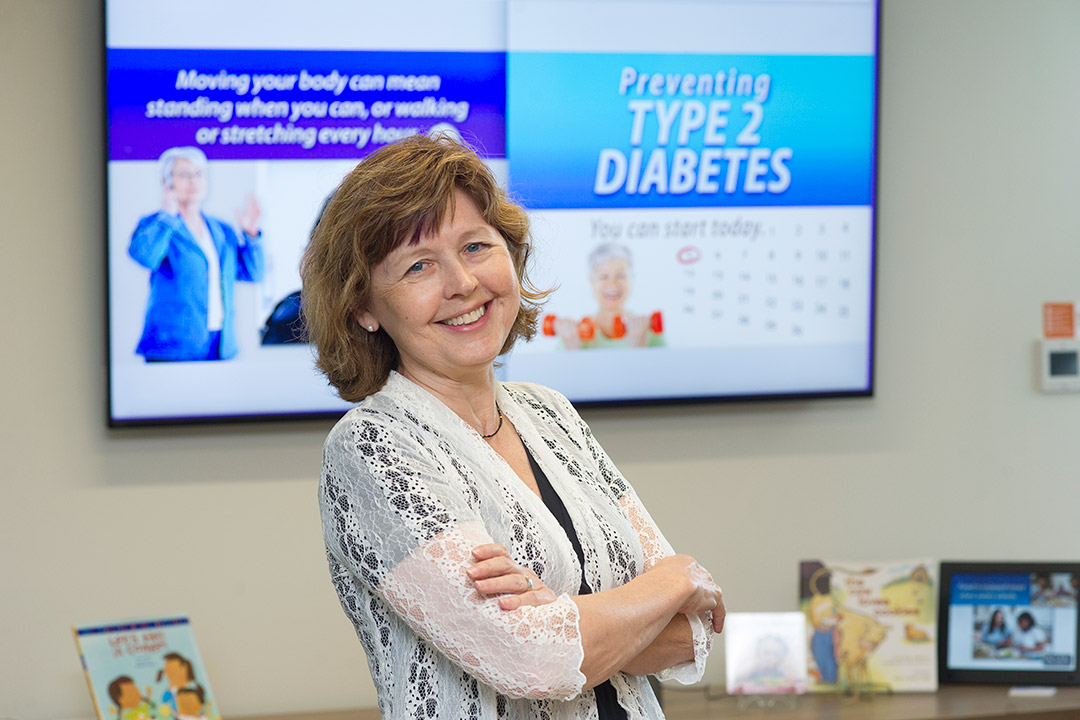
(145,670)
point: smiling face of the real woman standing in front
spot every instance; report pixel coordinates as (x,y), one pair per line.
(449,302)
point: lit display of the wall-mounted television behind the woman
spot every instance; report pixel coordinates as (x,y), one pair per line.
(700,179)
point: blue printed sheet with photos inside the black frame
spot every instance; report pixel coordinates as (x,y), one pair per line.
(1014,622)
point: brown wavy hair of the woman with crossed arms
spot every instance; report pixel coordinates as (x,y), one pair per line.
(397,195)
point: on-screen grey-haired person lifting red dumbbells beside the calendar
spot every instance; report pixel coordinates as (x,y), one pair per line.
(613,324)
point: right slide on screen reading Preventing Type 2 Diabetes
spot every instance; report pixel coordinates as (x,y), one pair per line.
(700,178)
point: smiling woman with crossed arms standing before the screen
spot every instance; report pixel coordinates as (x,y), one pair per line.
(492,559)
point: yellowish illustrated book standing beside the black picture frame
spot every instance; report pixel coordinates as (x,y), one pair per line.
(871,628)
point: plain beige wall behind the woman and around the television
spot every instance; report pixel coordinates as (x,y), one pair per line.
(957,456)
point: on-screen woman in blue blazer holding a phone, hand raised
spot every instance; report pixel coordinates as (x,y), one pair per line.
(195,262)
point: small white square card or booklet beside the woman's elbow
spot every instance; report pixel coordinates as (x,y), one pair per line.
(765,654)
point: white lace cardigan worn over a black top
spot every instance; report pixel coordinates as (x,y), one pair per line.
(409,490)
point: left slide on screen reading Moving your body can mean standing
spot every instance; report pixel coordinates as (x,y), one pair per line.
(280,112)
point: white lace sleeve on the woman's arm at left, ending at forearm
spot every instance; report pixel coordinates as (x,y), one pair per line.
(403,524)
